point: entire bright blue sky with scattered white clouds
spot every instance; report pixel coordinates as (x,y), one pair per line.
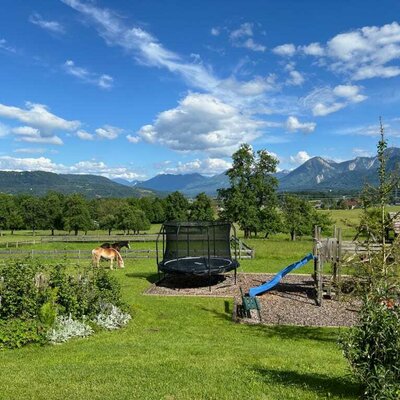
(131,89)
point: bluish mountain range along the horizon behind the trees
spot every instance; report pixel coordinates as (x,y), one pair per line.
(316,174)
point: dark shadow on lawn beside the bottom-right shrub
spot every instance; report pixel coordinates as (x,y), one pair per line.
(322,385)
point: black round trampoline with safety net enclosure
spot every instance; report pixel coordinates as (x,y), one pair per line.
(196,248)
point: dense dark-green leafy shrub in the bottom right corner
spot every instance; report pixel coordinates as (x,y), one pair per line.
(373,348)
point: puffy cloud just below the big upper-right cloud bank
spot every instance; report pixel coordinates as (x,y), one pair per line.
(327,100)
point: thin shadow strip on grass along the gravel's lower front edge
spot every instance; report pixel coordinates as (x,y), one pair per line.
(328,335)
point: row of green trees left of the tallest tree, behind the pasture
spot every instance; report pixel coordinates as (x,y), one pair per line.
(74,213)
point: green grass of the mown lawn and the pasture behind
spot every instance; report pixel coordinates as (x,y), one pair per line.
(185,347)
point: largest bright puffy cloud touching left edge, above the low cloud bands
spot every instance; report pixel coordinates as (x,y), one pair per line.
(38,116)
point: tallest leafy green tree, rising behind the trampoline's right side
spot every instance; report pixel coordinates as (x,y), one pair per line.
(252,189)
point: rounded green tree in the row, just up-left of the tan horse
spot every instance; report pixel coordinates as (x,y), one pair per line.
(76,214)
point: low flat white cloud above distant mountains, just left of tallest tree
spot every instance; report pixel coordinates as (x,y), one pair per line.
(208,166)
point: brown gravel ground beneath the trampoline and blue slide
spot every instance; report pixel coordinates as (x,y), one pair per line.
(292,302)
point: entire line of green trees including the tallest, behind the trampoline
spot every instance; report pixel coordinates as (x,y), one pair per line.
(251,201)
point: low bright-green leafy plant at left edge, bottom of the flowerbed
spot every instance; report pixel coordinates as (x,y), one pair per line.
(16,333)
